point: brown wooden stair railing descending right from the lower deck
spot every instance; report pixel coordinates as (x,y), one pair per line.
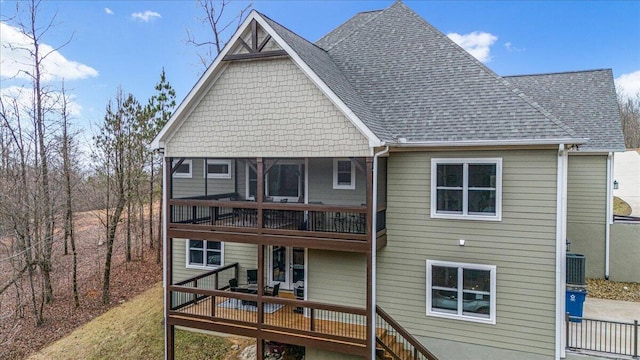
(395,341)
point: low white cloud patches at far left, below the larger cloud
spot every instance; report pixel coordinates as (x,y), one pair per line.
(23,97)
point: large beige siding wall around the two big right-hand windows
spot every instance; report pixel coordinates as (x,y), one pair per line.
(522,246)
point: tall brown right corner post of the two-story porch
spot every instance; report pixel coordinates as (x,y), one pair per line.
(371,212)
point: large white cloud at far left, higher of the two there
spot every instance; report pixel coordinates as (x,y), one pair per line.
(16,59)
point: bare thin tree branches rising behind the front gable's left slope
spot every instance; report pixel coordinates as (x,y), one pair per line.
(214,21)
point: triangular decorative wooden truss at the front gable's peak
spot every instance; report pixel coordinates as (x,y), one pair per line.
(254,43)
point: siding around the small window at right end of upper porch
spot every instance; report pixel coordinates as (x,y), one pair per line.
(321,184)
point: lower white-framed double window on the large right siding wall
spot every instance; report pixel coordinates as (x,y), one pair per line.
(461,291)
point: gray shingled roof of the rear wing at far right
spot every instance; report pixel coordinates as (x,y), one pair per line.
(585,100)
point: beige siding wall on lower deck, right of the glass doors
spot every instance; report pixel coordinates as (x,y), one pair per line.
(337,277)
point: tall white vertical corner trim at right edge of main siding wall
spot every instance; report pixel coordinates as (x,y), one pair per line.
(561,250)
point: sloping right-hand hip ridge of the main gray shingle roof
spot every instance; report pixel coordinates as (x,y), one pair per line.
(497,77)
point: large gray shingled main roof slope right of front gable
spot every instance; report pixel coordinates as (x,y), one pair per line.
(425,89)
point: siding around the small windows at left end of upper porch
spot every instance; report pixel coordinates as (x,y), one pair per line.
(194,186)
